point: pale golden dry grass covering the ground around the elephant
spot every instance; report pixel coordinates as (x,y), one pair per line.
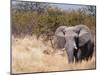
(32,55)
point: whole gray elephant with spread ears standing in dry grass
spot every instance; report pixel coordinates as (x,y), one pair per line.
(76,40)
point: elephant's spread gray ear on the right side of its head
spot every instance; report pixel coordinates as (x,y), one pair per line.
(83,34)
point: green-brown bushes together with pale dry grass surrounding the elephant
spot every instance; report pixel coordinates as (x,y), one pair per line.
(33,22)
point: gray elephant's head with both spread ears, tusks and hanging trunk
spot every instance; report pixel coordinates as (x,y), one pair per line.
(72,38)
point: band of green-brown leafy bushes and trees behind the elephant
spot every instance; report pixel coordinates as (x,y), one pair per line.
(43,19)
